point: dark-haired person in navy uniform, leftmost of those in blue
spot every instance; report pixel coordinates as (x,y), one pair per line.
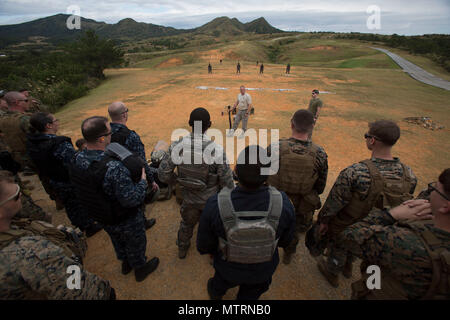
(52,156)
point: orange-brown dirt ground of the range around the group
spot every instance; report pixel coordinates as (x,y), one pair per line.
(160,101)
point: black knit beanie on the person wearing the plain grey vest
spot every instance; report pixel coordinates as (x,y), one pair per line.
(249,173)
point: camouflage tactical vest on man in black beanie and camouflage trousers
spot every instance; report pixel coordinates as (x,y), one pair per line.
(195,177)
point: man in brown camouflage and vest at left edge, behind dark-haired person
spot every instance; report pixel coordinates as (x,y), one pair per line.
(15,126)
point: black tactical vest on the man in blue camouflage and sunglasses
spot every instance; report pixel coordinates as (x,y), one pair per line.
(89,186)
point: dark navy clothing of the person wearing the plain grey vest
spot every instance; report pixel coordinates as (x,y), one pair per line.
(253,279)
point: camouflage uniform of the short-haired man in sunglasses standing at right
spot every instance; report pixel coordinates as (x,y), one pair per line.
(355,184)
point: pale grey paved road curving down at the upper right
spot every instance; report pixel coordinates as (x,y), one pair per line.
(417,72)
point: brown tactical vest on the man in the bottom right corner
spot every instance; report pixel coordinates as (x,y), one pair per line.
(391,288)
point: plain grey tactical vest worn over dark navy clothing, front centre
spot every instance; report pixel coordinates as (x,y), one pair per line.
(249,240)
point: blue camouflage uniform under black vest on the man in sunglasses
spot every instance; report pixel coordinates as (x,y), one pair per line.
(128,237)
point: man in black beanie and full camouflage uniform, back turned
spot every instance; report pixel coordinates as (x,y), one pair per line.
(197,179)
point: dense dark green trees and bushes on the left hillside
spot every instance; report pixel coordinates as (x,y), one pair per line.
(59,76)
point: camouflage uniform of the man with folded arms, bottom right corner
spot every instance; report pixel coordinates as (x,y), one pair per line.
(400,250)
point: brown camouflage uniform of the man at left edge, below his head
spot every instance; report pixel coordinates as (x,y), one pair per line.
(15,127)
